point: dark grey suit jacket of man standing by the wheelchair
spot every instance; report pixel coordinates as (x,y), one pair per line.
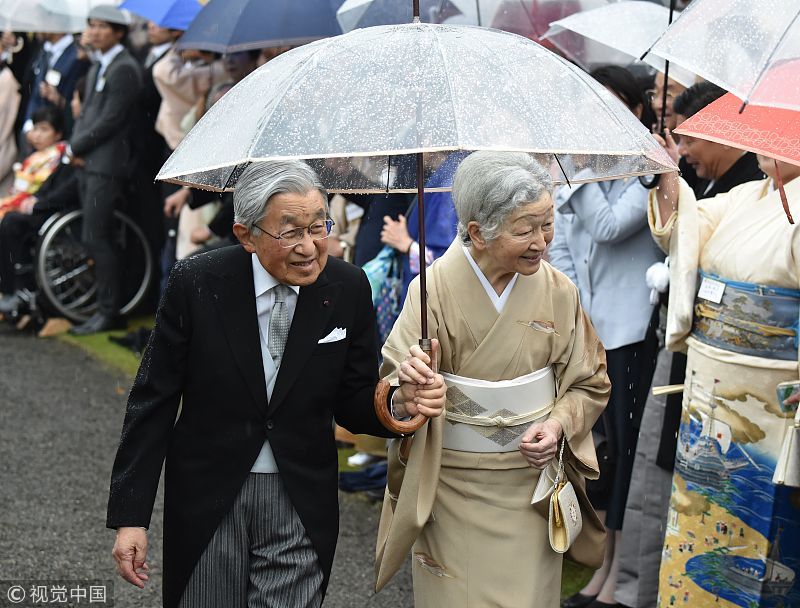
(102,134)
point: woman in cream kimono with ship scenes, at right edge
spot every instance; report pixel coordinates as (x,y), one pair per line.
(733,536)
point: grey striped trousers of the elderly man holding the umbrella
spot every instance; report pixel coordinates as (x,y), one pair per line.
(259,557)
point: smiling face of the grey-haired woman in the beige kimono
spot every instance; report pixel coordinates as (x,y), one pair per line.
(524,237)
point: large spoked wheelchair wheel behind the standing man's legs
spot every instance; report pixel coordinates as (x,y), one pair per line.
(65,271)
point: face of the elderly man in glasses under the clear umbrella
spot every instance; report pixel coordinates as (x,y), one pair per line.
(298,265)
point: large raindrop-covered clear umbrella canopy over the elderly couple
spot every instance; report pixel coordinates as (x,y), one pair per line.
(358,107)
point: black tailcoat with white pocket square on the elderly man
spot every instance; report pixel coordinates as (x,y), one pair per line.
(205,350)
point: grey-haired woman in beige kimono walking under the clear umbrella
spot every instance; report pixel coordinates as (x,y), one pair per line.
(500,312)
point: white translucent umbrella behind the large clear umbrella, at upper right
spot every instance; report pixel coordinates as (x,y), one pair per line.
(629,27)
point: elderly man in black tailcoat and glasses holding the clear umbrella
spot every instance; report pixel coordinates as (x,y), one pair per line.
(264,344)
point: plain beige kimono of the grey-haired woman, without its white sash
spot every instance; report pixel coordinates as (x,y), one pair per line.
(477,541)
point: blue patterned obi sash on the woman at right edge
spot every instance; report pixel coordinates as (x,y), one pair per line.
(751,319)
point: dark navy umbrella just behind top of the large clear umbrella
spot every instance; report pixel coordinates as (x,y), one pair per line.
(229,26)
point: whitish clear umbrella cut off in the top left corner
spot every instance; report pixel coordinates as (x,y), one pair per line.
(47,15)
